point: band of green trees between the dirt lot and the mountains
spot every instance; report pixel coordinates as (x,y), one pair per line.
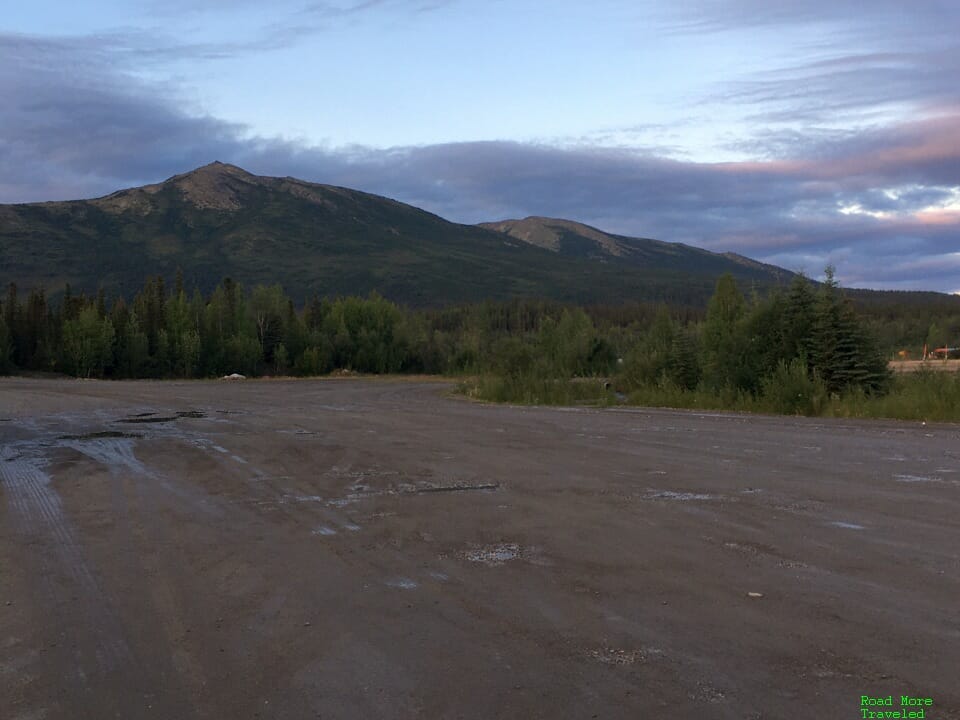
(806,331)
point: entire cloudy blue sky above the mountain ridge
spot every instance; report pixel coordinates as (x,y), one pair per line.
(800,133)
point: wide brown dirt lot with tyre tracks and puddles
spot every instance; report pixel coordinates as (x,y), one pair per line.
(354,549)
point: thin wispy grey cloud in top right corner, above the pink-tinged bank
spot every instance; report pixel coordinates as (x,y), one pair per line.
(843,61)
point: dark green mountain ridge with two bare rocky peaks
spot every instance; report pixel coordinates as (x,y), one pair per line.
(220,220)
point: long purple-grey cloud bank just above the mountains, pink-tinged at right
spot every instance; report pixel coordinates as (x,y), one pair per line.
(883,204)
